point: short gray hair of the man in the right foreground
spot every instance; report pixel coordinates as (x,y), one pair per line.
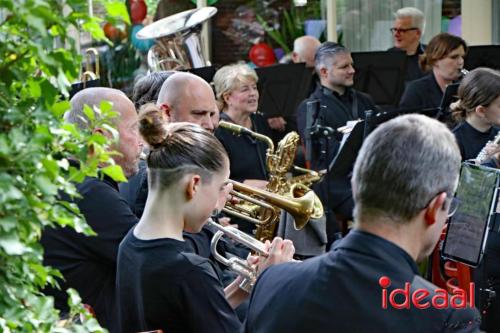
(402,165)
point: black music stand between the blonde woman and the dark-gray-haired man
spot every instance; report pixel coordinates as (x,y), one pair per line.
(281,88)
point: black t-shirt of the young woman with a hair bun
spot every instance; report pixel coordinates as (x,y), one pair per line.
(160,286)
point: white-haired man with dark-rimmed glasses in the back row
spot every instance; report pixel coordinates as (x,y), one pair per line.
(407,29)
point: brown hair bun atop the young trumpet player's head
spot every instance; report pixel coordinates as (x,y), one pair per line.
(152,125)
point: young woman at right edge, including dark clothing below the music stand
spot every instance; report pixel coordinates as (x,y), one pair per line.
(478,110)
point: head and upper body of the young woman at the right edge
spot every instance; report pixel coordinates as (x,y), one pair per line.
(478,112)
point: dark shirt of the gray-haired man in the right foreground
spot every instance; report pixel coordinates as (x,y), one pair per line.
(340,292)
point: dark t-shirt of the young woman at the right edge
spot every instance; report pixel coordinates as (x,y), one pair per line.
(470,140)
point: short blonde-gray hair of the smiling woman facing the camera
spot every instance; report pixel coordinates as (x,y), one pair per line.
(229,77)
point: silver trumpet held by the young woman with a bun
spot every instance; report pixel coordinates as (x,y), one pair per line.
(236,264)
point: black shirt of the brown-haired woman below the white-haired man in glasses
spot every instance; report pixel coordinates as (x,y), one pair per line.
(422,93)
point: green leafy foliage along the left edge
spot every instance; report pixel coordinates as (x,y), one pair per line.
(38,61)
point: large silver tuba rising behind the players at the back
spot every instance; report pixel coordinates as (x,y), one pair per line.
(178,43)
